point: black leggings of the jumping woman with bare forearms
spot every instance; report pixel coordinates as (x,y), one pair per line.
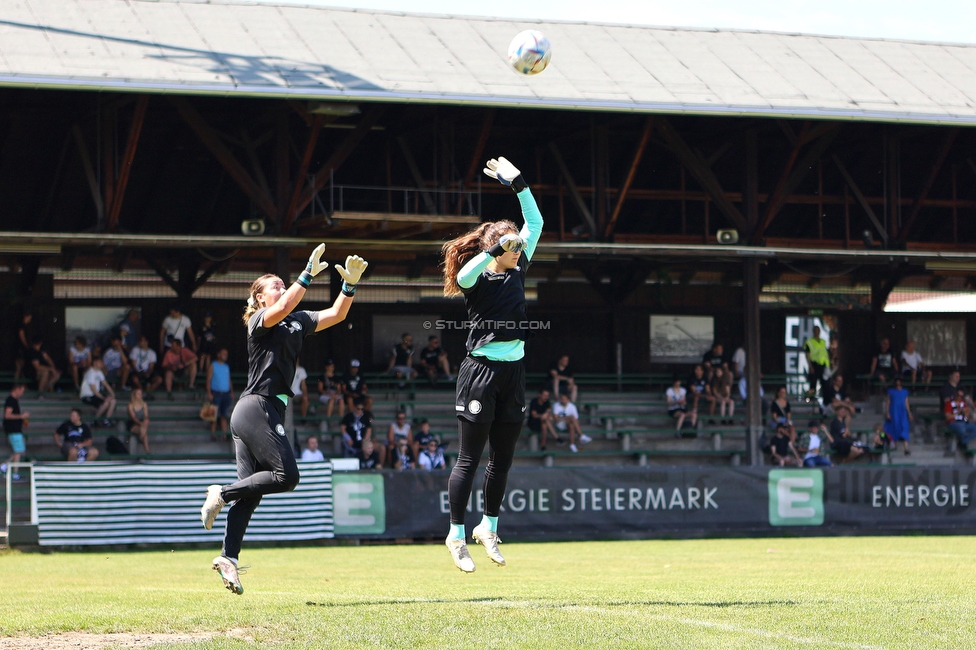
(265,463)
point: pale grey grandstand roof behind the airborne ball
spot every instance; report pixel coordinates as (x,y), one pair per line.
(310,52)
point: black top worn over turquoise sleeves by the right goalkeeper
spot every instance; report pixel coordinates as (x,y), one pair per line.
(496,306)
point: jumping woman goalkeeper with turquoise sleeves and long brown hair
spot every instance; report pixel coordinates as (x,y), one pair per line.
(487,266)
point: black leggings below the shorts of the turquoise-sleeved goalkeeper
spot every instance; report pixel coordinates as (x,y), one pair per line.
(501,438)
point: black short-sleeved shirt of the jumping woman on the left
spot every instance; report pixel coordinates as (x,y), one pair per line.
(272,352)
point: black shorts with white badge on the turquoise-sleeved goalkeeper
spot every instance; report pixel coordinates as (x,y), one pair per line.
(489,391)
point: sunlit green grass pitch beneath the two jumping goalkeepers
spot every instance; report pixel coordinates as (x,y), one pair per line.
(857,592)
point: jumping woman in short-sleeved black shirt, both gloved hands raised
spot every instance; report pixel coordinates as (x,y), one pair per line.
(265,460)
